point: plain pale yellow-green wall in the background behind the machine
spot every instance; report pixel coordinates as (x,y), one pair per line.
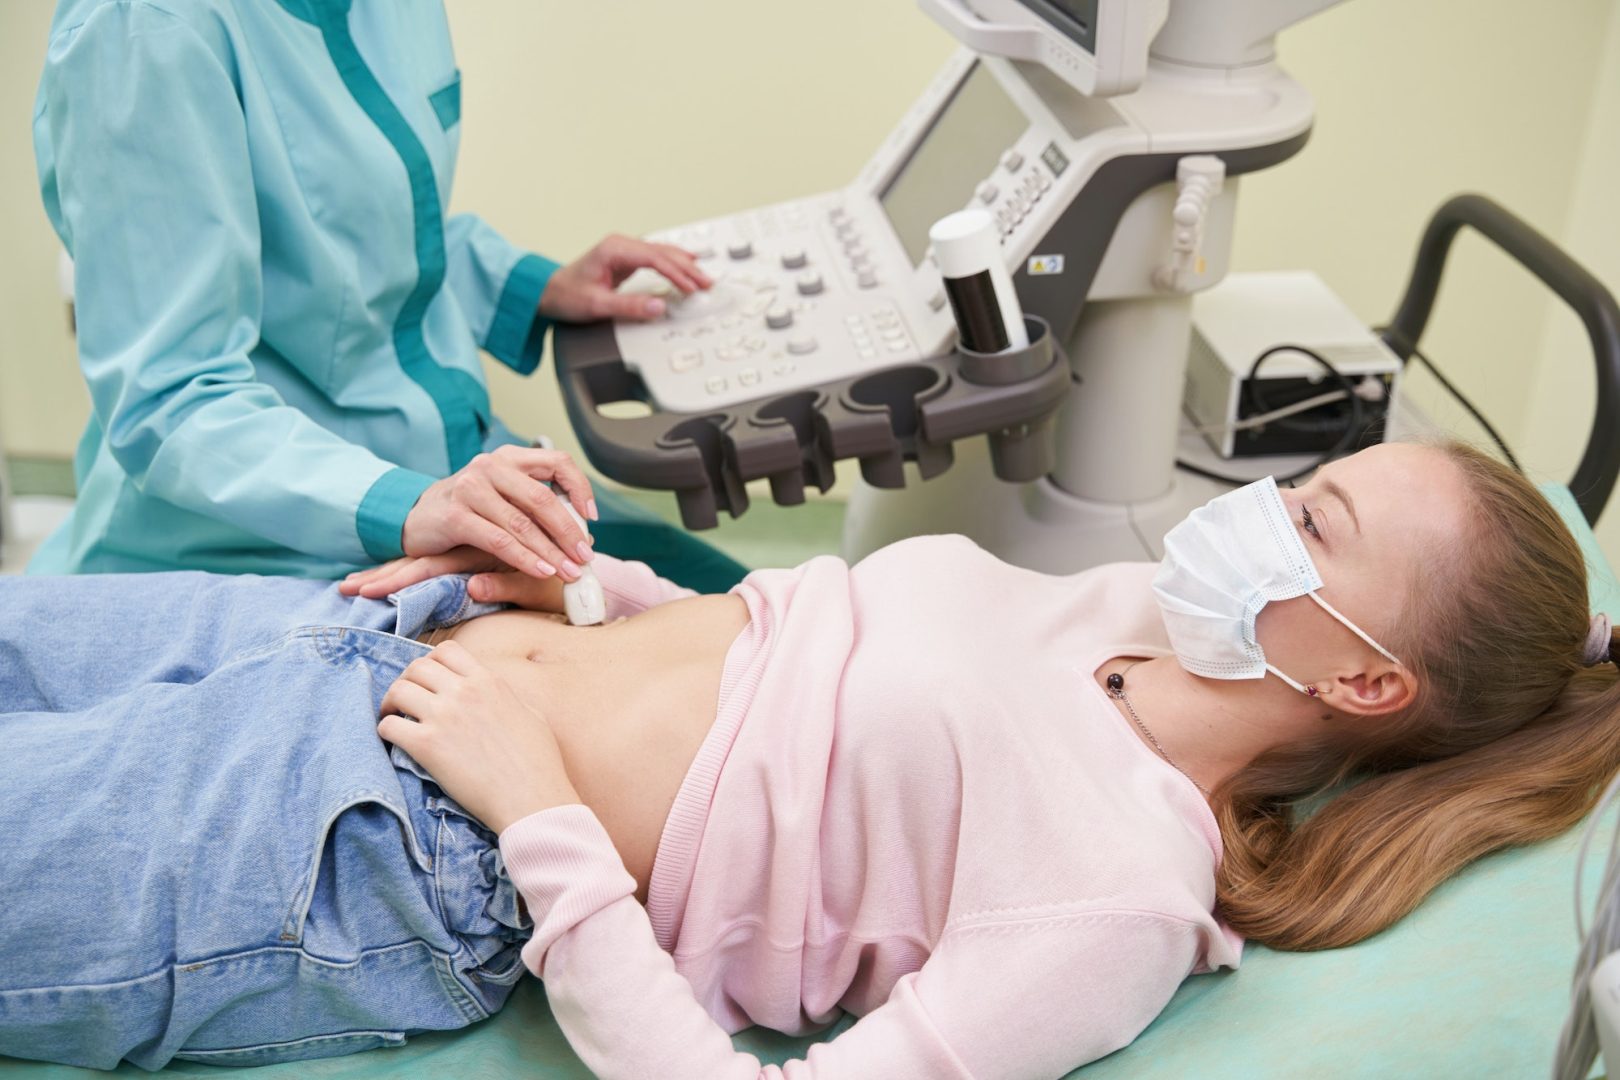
(584,119)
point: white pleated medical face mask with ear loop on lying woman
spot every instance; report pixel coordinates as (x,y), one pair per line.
(1222,566)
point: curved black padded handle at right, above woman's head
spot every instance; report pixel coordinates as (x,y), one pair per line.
(1595,478)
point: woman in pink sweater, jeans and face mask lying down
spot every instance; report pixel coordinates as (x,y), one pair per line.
(900,789)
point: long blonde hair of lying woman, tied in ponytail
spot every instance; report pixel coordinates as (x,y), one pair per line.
(1509,741)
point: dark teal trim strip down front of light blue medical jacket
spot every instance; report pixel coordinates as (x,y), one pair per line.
(461,401)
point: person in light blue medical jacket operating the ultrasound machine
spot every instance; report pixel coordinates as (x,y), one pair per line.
(278,321)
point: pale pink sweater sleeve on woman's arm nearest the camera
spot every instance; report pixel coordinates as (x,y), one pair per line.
(1026,998)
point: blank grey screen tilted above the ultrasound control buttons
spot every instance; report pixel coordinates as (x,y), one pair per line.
(955,155)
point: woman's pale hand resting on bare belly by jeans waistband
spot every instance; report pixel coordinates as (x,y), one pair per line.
(488,749)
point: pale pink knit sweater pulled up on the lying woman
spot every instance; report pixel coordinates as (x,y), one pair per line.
(916,806)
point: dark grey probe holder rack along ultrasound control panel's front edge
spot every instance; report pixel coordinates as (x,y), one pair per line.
(911,412)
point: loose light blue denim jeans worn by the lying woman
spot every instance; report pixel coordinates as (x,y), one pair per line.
(207,853)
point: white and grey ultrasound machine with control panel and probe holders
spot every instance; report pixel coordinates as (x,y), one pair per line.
(1107,140)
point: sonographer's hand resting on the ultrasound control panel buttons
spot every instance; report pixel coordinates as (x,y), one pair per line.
(584,291)
